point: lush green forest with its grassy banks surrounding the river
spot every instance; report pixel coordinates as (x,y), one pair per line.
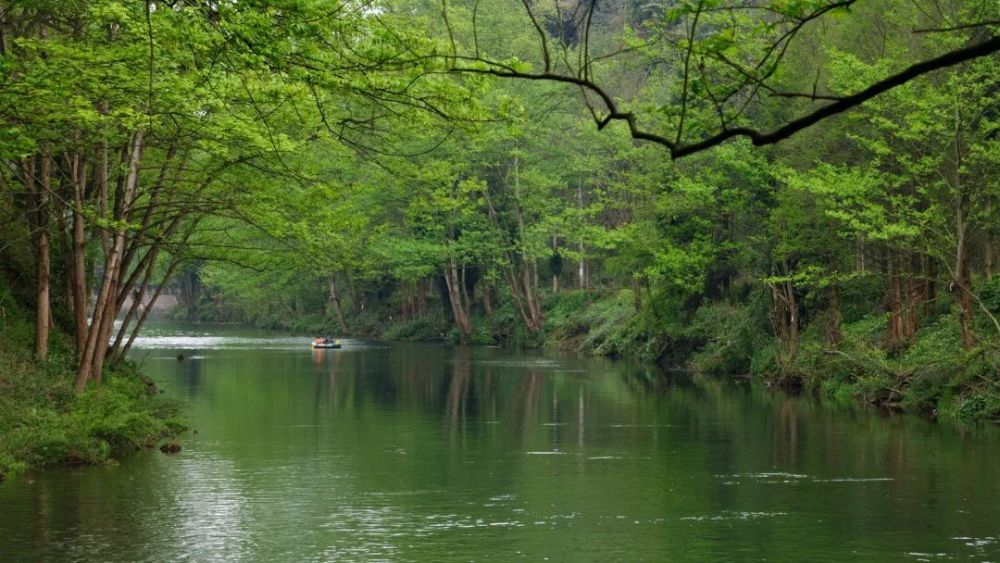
(804,193)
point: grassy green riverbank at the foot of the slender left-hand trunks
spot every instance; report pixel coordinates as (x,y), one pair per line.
(44,424)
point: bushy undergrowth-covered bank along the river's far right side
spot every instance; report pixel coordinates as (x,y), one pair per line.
(930,376)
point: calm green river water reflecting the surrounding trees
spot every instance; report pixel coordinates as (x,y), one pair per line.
(424,452)
